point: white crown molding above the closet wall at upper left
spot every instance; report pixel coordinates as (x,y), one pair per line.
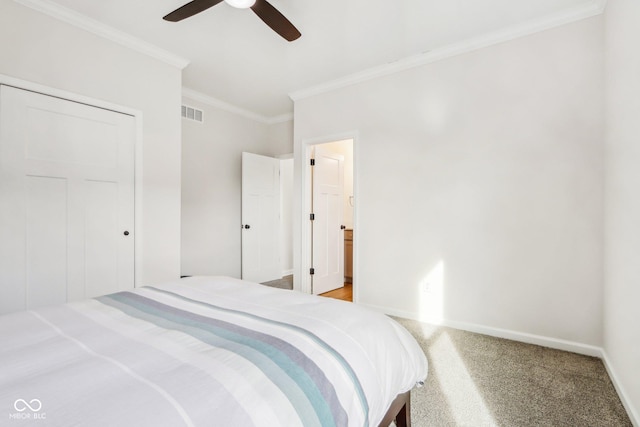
(91,25)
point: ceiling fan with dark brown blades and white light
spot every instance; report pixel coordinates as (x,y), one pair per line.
(262,8)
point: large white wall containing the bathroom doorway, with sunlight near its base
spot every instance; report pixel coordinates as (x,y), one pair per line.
(489,164)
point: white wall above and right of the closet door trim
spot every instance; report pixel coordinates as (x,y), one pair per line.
(37,48)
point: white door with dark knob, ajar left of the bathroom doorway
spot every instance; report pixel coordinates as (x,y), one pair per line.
(260,218)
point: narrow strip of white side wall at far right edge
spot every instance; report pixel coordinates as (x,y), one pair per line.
(622,203)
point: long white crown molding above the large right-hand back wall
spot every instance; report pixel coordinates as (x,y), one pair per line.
(588,10)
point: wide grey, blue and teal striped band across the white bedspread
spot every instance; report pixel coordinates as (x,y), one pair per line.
(298,377)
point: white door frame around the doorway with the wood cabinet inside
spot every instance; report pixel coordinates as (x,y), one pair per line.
(302,278)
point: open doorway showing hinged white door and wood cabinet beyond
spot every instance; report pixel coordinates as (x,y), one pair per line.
(332,219)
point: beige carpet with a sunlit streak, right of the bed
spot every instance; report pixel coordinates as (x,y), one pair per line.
(476,380)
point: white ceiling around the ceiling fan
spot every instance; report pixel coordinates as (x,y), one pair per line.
(235,58)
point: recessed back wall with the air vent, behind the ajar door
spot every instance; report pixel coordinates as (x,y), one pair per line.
(211,185)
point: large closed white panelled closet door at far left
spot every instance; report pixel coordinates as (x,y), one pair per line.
(66,200)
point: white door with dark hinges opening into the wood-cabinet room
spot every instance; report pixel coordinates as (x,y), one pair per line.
(327,232)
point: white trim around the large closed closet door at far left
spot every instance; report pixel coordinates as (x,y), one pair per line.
(137,176)
